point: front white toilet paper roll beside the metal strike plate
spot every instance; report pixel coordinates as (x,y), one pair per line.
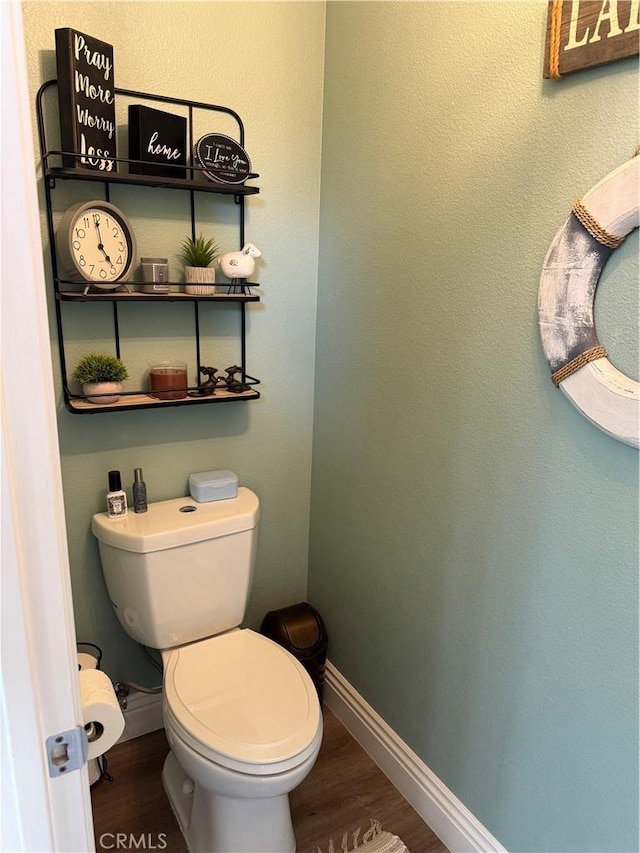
(101,712)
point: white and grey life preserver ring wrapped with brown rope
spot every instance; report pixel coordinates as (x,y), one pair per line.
(579,365)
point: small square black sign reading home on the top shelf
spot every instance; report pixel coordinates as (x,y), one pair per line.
(160,139)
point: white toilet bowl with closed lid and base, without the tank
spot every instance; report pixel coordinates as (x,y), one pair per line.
(244,726)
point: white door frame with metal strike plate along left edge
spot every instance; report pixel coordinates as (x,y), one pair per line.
(39,693)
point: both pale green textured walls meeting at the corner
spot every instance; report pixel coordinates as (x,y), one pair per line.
(474,540)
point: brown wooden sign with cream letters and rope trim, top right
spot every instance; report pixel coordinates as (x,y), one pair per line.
(584,33)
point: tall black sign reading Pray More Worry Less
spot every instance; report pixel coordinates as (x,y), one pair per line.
(86,97)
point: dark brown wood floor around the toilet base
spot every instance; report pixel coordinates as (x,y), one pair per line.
(344,790)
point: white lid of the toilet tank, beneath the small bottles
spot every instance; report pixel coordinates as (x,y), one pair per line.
(180,521)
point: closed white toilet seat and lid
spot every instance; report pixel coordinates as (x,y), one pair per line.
(243,702)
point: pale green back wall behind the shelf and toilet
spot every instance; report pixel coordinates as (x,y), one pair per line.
(264,60)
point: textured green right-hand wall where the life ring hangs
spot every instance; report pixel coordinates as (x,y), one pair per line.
(474,540)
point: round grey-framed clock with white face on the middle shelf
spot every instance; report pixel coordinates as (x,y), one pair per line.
(96,244)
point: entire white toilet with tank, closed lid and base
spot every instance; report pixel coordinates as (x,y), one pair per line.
(241,714)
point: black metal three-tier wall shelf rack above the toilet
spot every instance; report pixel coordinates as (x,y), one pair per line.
(67,292)
